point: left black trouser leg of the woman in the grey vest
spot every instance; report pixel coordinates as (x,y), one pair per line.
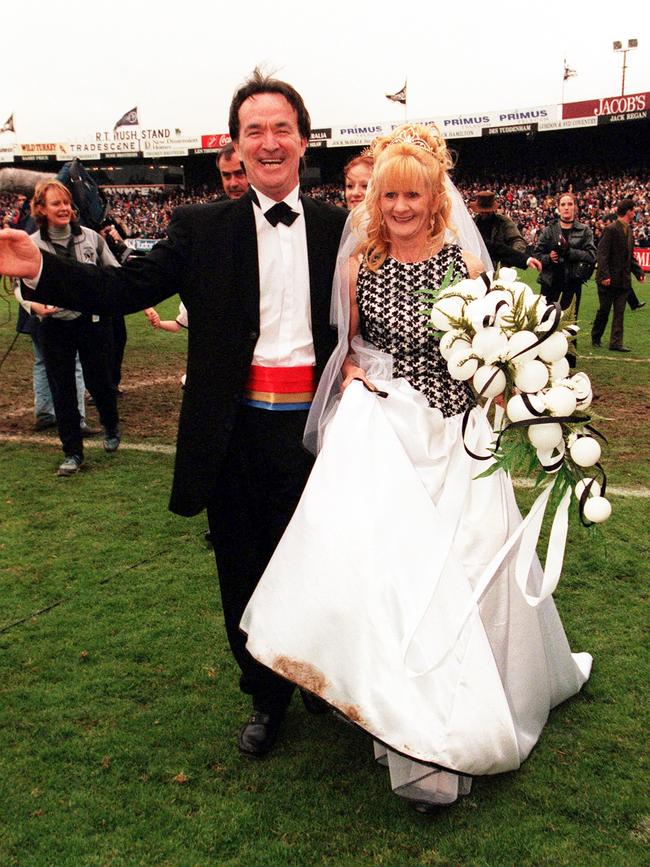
(59,345)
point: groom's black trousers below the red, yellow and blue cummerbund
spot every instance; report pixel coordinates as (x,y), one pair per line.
(264,475)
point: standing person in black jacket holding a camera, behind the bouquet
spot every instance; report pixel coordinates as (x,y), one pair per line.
(567,251)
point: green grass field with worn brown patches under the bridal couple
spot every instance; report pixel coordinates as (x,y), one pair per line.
(118,696)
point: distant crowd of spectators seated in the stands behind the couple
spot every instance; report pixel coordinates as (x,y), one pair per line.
(530,201)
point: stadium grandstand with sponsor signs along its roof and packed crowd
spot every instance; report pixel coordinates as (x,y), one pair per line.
(597,149)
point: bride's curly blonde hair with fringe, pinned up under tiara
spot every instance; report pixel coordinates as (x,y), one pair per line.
(411,157)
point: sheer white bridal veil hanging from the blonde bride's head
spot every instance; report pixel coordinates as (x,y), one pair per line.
(376,363)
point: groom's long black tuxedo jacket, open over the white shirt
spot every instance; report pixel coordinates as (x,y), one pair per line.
(210,259)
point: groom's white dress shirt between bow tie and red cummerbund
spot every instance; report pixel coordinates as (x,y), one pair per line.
(285,315)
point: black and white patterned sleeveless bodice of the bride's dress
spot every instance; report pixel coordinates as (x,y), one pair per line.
(392,318)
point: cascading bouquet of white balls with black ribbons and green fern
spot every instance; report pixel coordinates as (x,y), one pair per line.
(510,344)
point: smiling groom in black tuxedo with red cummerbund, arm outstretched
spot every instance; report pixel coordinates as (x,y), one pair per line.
(256,278)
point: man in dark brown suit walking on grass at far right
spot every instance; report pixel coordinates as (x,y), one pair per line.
(615,266)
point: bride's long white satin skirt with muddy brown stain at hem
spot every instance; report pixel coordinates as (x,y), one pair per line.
(376,598)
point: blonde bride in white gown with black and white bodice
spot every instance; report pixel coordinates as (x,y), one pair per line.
(394,593)
